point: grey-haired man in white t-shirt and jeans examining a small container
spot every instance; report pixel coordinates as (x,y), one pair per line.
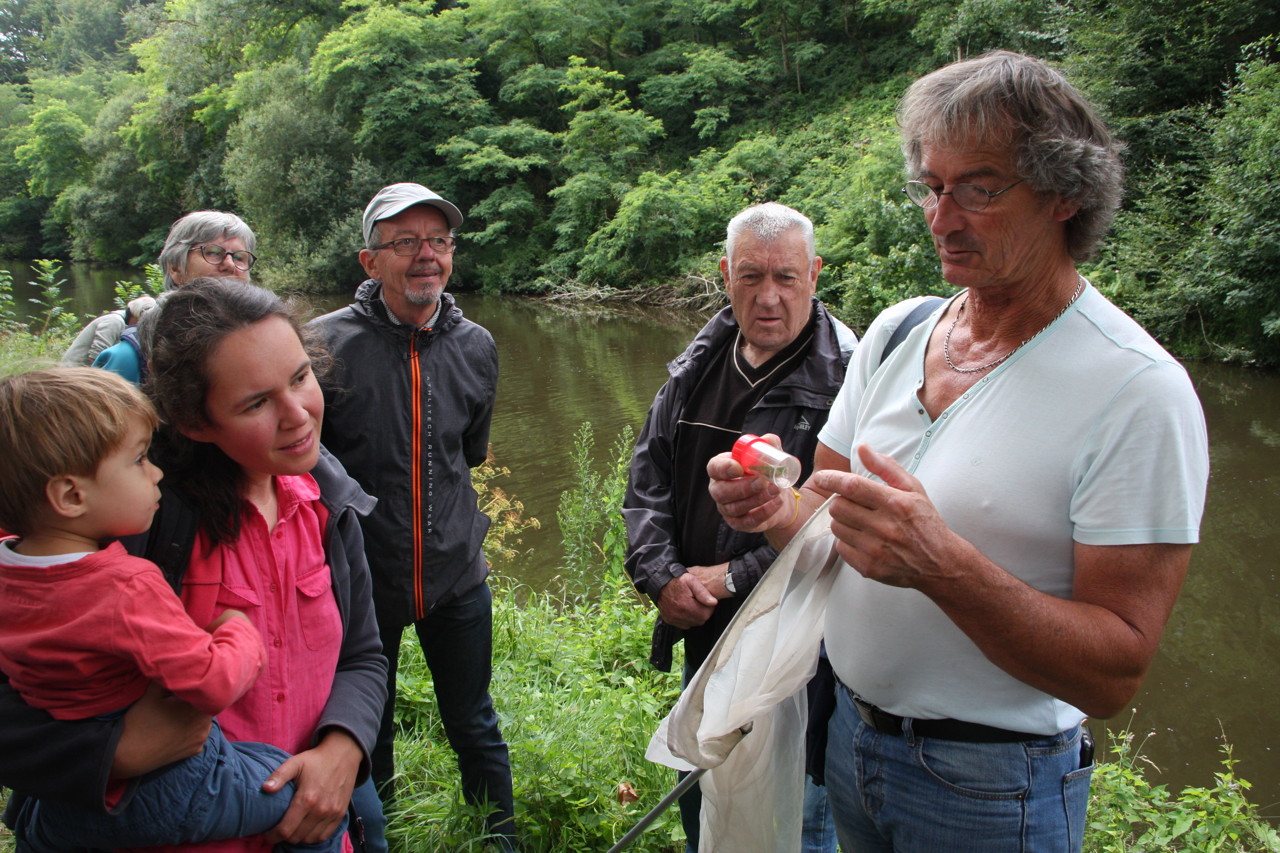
(1020,489)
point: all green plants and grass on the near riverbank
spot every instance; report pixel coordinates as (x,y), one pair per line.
(579,703)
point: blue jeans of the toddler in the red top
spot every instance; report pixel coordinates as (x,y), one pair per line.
(217,795)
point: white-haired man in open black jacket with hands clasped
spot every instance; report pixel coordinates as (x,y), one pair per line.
(770,363)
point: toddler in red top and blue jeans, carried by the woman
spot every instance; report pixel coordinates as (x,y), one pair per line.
(85,627)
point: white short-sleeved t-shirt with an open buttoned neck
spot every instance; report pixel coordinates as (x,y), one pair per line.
(1090,434)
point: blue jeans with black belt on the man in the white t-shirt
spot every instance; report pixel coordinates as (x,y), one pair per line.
(909,795)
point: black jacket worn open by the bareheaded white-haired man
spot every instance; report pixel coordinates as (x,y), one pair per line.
(794,410)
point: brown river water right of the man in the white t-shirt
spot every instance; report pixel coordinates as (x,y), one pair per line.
(1219,663)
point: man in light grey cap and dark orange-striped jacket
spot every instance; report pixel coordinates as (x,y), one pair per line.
(409,416)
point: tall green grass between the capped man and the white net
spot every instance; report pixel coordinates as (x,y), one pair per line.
(575,692)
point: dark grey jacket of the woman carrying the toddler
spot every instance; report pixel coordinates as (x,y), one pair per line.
(70,761)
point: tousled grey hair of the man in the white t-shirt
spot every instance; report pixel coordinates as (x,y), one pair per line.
(1059,143)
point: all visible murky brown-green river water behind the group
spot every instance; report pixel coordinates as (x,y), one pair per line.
(1219,663)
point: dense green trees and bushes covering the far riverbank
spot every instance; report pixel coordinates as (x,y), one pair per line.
(606,143)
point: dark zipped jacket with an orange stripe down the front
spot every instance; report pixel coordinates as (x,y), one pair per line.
(409,414)
